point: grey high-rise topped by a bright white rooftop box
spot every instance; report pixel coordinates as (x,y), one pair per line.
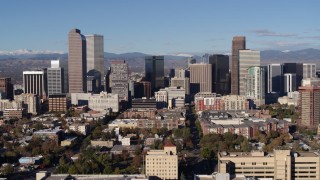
(55,78)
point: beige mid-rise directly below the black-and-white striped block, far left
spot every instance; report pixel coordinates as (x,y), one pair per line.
(31,102)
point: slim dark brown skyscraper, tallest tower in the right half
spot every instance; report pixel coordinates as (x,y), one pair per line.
(238,43)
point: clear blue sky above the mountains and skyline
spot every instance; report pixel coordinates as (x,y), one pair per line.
(163,26)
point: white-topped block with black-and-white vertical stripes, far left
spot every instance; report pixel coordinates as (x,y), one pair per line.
(34,83)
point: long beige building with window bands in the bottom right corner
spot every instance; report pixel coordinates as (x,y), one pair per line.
(279,165)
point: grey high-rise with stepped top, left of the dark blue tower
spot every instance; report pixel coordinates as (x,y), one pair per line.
(119,79)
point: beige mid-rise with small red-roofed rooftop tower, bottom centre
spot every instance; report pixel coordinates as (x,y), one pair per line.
(163,163)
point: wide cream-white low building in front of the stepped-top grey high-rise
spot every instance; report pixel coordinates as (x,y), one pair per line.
(104,101)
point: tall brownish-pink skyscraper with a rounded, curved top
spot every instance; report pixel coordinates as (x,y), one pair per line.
(77,63)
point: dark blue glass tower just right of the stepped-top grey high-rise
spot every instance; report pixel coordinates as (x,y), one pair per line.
(154,72)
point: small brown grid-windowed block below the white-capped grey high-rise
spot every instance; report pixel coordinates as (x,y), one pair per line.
(58,103)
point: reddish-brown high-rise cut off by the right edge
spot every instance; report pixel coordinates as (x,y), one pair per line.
(309,106)
